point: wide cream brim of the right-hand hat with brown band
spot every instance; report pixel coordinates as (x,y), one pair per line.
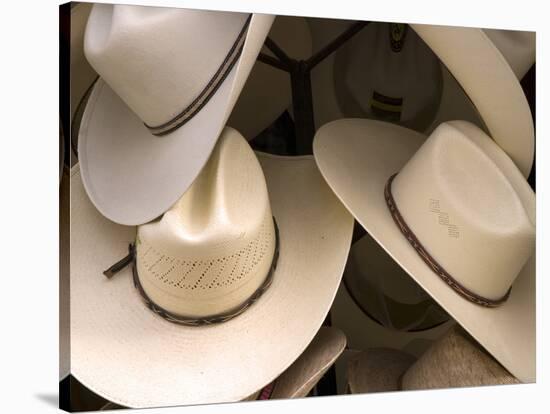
(357,157)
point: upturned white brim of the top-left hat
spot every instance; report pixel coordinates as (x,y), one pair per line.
(132,176)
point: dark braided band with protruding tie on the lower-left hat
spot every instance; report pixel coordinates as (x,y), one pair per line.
(180,320)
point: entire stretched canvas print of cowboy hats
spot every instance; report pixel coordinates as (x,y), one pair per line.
(258,207)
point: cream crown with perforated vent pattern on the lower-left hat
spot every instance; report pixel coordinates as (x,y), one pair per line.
(214,248)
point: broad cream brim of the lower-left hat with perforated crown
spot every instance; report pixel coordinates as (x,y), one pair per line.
(131,356)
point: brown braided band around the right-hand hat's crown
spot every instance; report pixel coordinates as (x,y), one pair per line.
(429,260)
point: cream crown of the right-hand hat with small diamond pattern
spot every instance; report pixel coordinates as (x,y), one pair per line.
(470,207)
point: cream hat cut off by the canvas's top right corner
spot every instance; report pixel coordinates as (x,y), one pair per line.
(487,65)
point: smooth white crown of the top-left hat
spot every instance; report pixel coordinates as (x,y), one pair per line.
(158,60)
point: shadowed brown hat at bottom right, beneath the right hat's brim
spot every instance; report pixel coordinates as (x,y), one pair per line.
(455,360)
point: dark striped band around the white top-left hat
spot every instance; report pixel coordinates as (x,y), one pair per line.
(202,99)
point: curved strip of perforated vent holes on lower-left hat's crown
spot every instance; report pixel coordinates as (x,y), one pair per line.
(212,273)
